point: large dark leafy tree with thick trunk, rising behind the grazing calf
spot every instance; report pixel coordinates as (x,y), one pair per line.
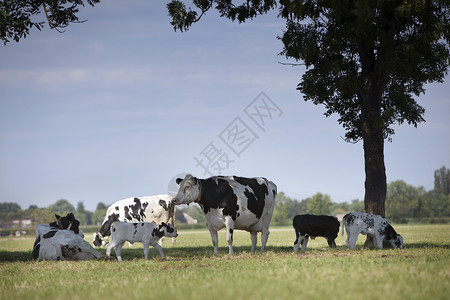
(365,61)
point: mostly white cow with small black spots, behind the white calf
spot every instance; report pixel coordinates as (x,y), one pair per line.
(153,209)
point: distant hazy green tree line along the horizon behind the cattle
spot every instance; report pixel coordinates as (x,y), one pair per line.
(404,203)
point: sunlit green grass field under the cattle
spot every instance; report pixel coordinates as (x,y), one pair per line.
(419,271)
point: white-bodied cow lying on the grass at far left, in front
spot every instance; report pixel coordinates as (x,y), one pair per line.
(61,244)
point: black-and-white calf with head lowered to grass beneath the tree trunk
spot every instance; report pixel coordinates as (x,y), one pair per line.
(373,225)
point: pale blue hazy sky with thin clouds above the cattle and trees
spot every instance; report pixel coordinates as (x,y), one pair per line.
(121,105)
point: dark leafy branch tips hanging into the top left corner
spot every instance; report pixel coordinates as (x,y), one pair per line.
(18,17)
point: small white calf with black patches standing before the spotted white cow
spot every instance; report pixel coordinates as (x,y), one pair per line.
(147,233)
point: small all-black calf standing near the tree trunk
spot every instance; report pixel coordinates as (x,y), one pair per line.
(306,226)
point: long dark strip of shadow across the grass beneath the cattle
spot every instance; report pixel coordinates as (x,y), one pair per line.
(202,252)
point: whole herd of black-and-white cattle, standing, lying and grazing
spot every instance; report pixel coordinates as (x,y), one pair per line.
(232,202)
